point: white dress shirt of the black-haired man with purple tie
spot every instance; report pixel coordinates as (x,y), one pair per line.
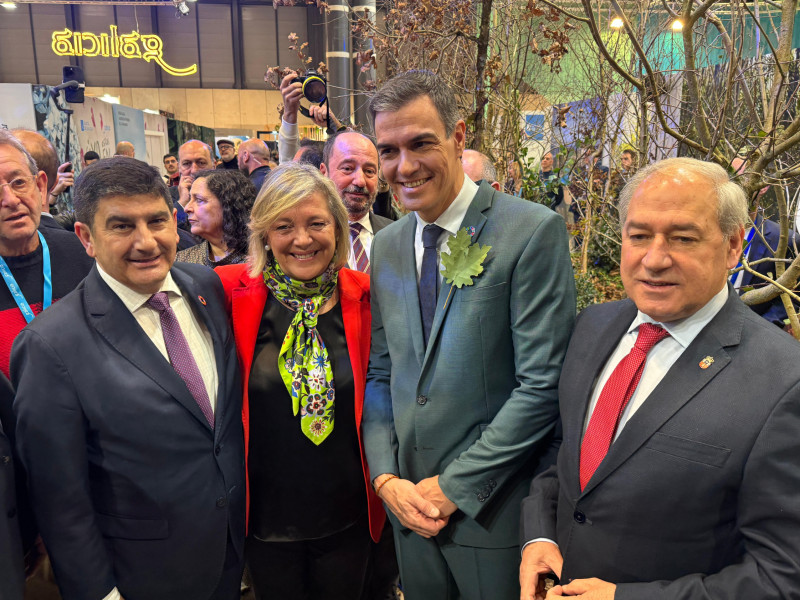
(197,336)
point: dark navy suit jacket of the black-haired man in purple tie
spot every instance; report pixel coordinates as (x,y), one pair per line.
(130,485)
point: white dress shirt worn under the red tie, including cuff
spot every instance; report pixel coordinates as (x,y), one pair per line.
(659,360)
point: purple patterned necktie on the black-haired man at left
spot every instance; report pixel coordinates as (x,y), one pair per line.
(180,355)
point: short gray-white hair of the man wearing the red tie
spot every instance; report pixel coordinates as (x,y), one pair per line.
(731,199)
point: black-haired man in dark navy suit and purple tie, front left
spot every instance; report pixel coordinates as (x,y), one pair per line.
(128,408)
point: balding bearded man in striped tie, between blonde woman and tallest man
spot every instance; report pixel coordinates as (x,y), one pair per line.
(350,160)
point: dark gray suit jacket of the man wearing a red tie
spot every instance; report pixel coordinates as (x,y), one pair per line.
(699,496)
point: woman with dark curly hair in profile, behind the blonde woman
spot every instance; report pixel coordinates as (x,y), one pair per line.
(218,211)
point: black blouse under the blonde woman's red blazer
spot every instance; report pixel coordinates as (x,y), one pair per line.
(298,490)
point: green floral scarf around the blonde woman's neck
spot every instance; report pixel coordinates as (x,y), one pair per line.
(303,361)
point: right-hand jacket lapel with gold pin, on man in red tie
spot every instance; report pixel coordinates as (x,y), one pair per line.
(681,383)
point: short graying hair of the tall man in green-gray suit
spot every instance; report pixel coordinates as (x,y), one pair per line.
(408,86)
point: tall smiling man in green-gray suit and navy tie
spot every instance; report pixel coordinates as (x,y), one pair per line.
(460,399)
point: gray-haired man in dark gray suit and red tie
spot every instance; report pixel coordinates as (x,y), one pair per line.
(677,476)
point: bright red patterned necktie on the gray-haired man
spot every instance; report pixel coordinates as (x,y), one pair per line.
(613,399)
